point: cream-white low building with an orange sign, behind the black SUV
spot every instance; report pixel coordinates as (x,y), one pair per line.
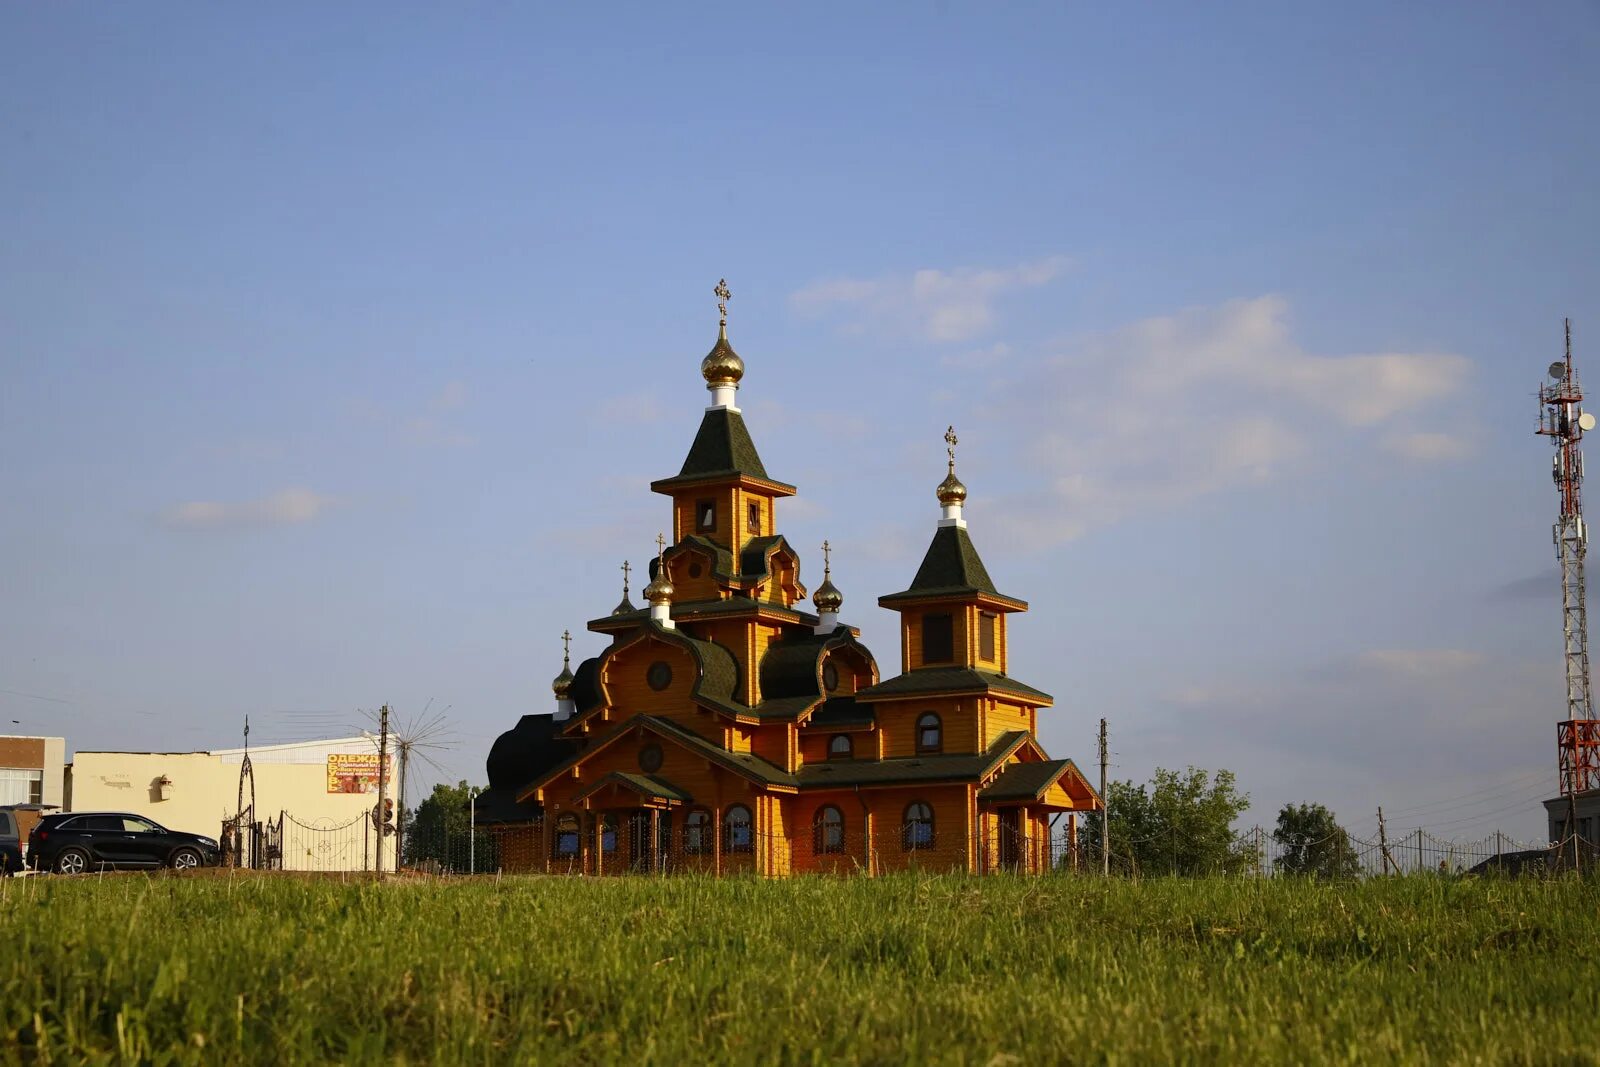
(313,799)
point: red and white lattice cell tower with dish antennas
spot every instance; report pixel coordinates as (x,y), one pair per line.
(1561,420)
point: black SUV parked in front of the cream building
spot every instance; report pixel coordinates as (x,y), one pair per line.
(74,842)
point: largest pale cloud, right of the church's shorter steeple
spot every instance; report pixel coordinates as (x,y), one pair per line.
(1196,404)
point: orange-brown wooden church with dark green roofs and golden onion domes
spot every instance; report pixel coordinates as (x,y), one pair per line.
(727,729)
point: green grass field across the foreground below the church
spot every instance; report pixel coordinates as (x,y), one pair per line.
(943,970)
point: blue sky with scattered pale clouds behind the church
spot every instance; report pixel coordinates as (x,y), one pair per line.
(340,350)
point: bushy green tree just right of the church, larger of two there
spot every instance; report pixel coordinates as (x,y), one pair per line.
(1182,823)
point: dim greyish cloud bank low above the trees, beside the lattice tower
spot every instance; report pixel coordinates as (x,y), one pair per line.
(1436,735)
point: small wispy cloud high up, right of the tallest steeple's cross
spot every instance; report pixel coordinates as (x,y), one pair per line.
(942,306)
